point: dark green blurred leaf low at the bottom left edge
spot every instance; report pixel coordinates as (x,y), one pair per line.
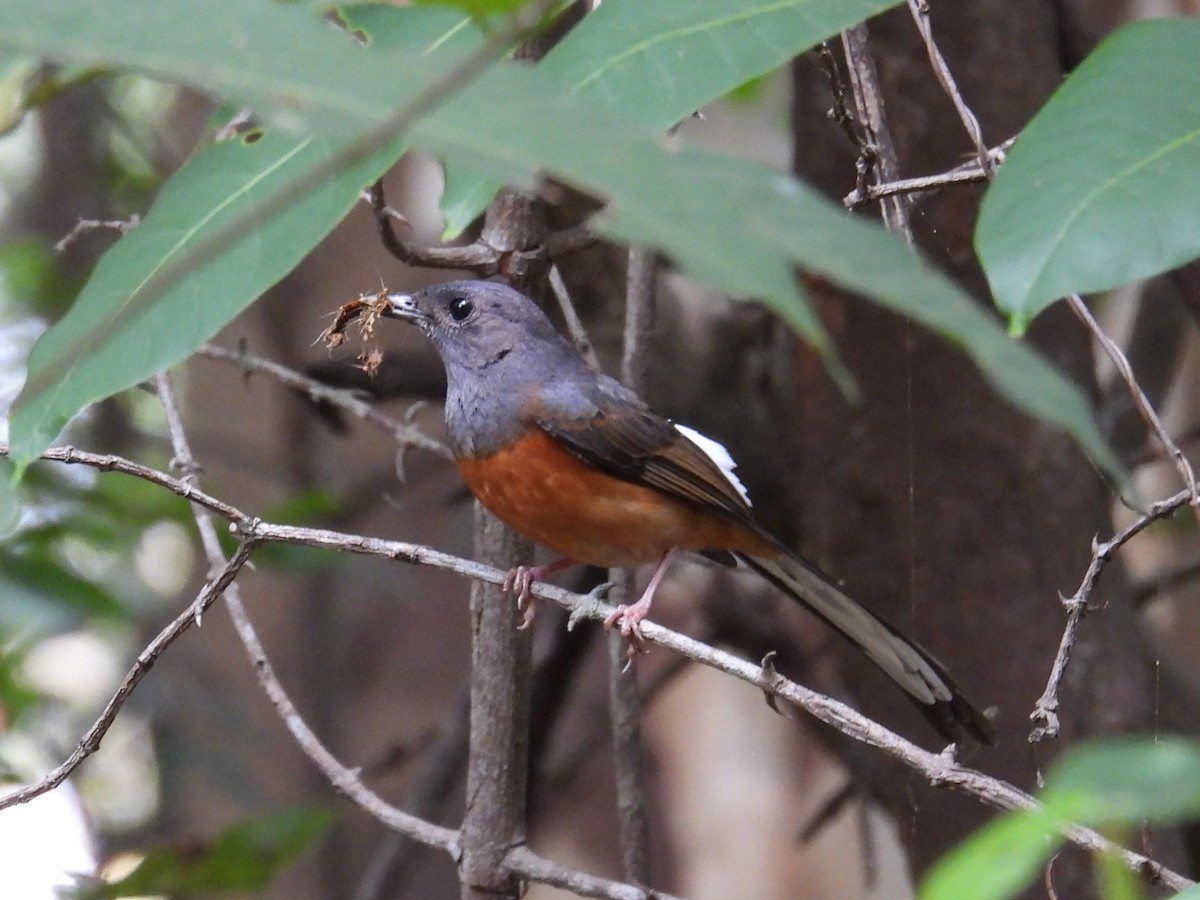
(245,857)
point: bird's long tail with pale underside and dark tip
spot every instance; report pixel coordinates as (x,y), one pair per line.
(914,670)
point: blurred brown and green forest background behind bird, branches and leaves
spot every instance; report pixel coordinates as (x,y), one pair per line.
(952,514)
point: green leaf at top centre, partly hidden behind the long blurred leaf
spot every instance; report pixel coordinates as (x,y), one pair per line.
(658,63)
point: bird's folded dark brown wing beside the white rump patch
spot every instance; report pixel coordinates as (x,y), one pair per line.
(621,436)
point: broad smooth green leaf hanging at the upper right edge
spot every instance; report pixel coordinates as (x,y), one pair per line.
(1103,187)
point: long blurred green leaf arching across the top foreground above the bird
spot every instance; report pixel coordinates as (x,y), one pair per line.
(736,225)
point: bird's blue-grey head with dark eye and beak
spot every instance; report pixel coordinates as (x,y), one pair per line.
(477,325)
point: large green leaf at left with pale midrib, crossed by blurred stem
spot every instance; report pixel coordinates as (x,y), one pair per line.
(137,316)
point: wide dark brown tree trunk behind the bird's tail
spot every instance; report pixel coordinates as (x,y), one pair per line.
(943,507)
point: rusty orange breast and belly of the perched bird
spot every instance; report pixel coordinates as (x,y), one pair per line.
(553,497)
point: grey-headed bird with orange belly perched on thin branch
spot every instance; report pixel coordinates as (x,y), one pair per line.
(579,464)
